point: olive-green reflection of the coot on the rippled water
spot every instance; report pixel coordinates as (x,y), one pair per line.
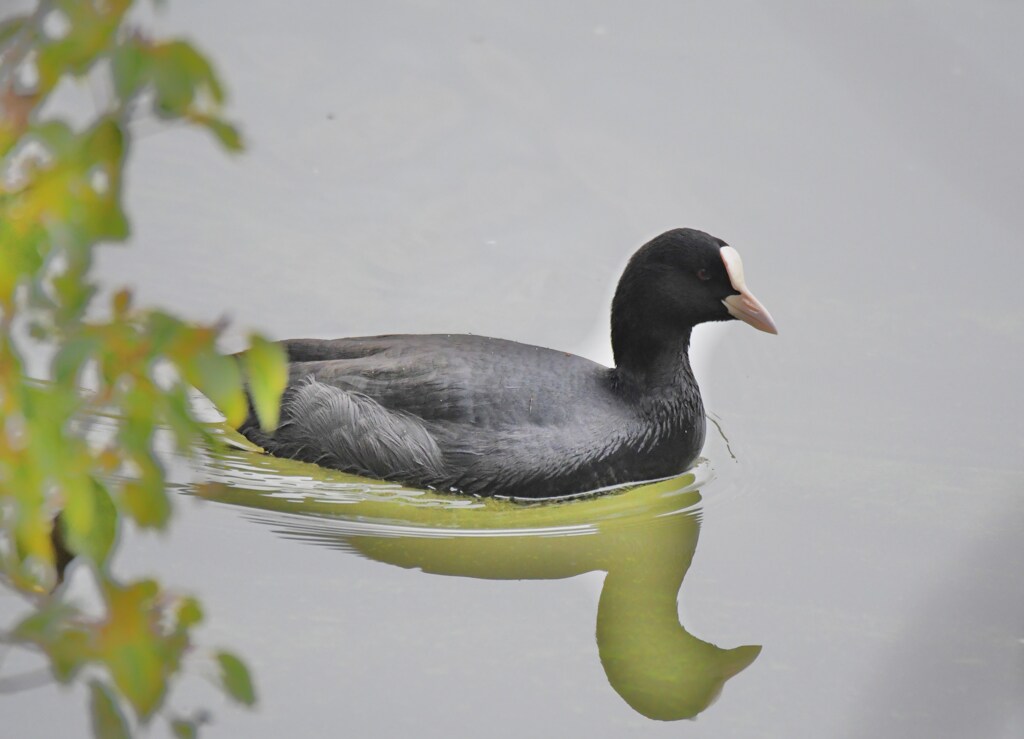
(645,539)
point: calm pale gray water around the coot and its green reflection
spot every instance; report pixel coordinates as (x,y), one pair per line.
(426,166)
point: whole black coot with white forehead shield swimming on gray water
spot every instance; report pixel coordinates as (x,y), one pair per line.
(496,418)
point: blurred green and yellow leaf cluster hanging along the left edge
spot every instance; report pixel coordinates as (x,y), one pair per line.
(66,486)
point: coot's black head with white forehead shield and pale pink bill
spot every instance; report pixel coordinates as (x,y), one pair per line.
(673,283)
